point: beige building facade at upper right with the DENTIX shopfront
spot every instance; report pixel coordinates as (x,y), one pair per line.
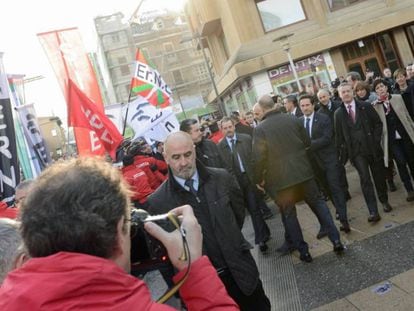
(250,42)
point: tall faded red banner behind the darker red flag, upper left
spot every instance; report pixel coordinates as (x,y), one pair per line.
(65,51)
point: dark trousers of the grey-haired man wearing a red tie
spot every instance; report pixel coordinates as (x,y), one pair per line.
(364,164)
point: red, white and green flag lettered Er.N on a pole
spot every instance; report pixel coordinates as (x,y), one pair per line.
(148,83)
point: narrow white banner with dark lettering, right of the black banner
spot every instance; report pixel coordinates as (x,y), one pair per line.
(28,119)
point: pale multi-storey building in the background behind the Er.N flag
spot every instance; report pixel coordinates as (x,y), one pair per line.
(166,41)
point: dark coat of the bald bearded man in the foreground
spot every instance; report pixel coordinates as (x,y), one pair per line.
(226,209)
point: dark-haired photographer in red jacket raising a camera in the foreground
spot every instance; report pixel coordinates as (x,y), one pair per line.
(76,225)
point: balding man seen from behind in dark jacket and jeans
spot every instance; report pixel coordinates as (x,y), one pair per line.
(281,165)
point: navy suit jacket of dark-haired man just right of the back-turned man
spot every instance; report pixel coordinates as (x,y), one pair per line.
(322,146)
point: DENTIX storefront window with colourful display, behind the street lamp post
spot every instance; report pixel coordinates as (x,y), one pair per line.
(312,72)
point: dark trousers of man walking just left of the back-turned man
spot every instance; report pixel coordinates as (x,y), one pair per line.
(261,230)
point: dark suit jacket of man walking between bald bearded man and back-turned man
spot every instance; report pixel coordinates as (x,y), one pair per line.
(244,149)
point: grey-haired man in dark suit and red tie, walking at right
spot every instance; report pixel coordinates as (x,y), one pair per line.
(358,132)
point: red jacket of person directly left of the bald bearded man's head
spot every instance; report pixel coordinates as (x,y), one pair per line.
(155,177)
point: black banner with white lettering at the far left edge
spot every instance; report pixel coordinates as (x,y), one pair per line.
(9,167)
